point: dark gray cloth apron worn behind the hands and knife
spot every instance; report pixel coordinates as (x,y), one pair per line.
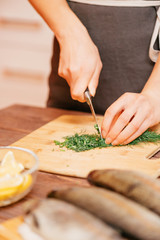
(123,37)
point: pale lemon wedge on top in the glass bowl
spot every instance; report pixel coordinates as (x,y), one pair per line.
(10,165)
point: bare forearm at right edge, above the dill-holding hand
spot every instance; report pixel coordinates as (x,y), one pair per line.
(152,87)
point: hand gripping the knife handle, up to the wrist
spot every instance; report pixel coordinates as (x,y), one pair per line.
(79,64)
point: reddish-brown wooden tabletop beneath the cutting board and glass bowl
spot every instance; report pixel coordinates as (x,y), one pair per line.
(17,121)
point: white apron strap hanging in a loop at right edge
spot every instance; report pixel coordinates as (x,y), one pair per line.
(153,53)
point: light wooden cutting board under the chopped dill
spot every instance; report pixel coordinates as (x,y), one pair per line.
(52,159)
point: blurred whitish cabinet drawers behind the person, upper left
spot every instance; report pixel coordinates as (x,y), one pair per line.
(25,53)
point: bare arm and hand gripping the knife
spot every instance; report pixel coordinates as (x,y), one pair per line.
(79,63)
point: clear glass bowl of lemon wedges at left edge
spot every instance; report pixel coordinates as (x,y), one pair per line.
(18,170)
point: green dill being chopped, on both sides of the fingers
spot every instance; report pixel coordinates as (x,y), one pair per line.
(84,142)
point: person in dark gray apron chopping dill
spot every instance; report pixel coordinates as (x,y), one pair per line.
(90,33)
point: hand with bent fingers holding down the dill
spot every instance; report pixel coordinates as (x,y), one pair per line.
(129,116)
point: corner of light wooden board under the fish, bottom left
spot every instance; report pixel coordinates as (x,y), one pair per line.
(9,229)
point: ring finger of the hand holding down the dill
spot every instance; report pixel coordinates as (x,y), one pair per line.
(133,126)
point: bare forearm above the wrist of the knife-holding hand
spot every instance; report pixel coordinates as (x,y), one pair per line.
(58,15)
